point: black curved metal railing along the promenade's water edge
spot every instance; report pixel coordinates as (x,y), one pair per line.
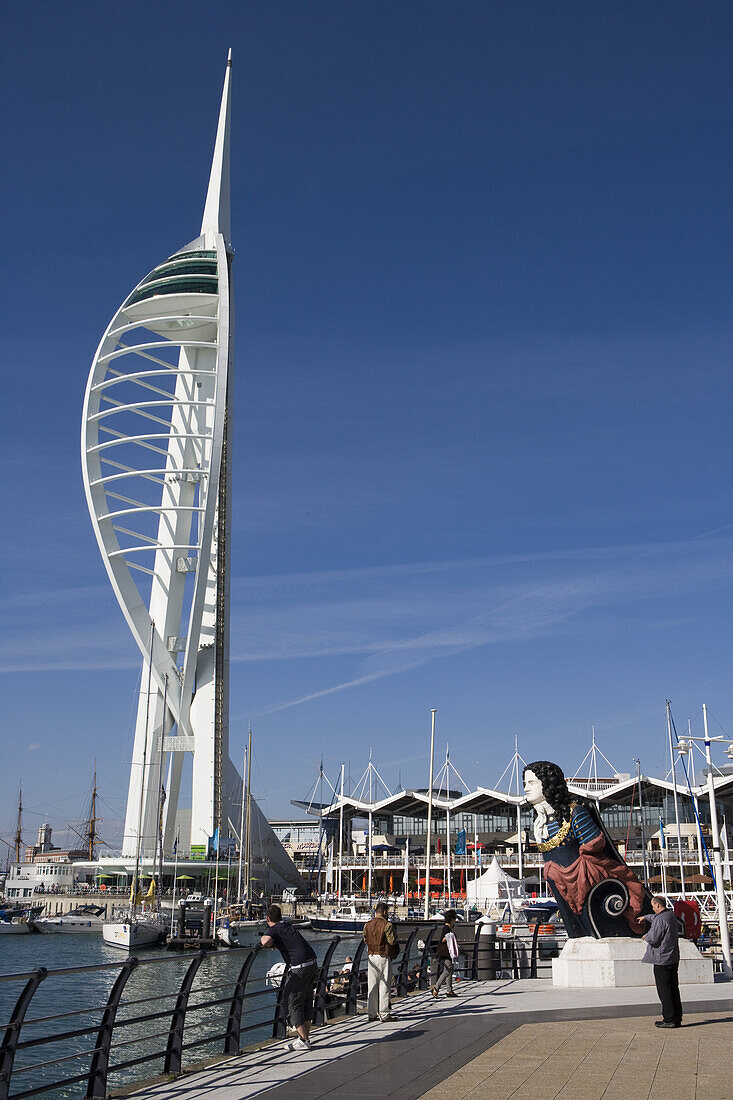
(122,1035)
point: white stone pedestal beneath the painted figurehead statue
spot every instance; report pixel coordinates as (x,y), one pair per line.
(608,964)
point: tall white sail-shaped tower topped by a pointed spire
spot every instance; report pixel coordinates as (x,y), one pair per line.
(157,476)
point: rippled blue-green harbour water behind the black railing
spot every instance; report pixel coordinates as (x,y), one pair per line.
(67,994)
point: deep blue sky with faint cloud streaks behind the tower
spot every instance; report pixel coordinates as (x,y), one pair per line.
(483,376)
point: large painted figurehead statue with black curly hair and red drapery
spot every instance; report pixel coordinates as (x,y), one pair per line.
(597,894)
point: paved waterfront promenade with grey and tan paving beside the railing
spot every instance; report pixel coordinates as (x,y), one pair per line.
(499,1040)
